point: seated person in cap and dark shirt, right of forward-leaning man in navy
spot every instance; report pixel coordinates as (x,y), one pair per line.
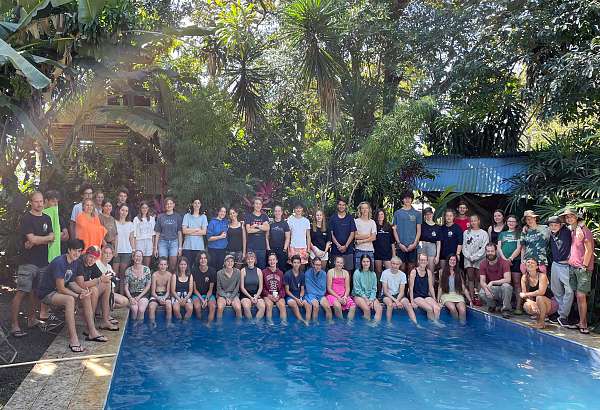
(90,277)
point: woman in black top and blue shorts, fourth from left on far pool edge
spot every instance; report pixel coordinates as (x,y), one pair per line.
(205,285)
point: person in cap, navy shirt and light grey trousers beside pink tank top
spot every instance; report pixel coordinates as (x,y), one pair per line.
(560,249)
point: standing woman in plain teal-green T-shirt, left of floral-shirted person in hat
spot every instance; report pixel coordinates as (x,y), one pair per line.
(509,248)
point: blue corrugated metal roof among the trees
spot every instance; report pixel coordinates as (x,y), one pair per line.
(472,175)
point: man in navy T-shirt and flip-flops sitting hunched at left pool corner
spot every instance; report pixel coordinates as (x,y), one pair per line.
(53,289)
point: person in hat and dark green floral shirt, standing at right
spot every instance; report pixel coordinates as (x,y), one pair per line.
(534,241)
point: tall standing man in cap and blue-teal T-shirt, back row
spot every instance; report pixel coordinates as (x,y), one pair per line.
(407,232)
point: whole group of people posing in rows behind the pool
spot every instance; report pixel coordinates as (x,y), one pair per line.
(253,263)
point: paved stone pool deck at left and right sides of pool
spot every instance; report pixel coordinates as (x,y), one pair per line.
(84,384)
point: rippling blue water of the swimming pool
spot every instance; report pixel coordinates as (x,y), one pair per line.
(488,364)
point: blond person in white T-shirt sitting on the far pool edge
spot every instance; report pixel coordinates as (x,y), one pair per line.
(394,285)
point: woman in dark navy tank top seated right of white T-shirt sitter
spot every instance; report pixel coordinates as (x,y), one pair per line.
(421,290)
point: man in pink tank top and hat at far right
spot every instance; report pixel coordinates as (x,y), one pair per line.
(581,263)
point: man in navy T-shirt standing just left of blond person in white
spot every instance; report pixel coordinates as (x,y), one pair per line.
(342,230)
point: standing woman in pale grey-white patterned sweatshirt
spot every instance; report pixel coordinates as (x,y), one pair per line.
(473,250)
